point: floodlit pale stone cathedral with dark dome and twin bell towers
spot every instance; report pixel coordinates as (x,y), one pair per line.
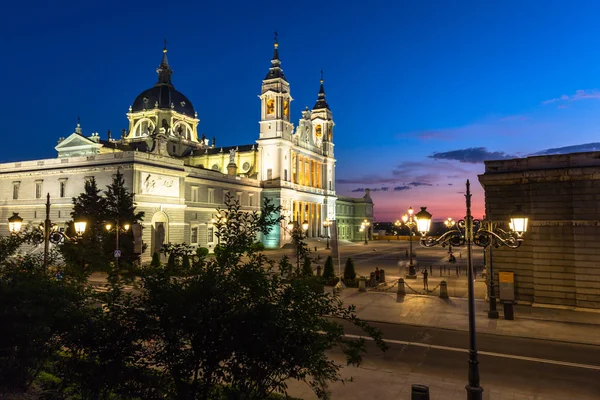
(179,179)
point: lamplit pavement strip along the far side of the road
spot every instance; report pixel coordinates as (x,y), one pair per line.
(452,313)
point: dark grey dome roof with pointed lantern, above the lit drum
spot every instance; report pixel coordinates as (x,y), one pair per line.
(163,95)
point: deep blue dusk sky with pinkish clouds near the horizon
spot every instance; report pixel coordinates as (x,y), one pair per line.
(422,92)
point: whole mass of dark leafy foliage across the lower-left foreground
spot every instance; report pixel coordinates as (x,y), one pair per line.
(228,320)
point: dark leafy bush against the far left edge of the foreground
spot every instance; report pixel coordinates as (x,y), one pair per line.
(35,312)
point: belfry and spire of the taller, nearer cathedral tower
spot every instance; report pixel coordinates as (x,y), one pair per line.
(275,101)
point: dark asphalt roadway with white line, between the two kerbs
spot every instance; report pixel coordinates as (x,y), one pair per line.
(554,370)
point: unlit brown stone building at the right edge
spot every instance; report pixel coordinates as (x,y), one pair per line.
(558,263)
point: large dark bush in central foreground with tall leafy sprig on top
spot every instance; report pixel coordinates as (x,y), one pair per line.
(242,324)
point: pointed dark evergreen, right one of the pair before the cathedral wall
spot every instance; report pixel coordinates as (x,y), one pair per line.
(120,209)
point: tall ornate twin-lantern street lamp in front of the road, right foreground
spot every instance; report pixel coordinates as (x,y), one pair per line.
(471,231)
